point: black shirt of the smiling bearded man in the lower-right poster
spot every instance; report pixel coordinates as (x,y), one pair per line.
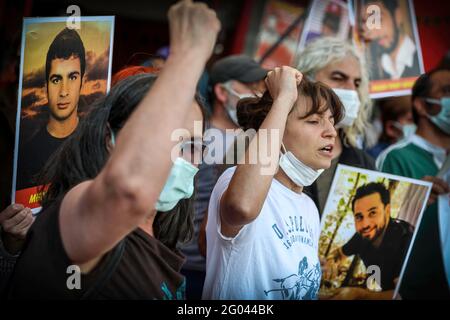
(389,256)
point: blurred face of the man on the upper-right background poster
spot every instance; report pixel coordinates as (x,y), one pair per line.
(387,36)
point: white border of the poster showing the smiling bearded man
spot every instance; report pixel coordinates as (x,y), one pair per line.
(342,167)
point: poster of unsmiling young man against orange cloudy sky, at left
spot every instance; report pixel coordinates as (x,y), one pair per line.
(64,68)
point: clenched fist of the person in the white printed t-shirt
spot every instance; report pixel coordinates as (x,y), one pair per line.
(282,83)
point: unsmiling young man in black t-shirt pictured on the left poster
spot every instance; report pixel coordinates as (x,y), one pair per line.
(64,70)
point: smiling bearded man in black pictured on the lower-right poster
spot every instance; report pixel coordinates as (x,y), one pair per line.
(379,240)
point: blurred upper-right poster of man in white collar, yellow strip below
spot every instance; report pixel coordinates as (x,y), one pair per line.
(387,33)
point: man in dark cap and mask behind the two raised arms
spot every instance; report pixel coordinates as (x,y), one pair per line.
(231,79)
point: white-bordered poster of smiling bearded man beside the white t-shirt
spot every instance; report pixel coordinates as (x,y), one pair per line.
(367,229)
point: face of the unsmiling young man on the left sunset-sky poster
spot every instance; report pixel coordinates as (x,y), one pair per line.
(63,87)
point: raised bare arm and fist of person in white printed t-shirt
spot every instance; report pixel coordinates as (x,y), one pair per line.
(242,202)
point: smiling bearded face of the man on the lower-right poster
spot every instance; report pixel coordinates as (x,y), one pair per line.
(371,216)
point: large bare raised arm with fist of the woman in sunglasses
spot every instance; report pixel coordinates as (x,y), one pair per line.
(97,214)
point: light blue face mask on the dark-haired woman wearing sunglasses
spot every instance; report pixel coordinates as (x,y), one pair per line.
(179,184)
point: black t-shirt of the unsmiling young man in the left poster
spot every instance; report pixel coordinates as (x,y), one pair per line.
(34,151)
